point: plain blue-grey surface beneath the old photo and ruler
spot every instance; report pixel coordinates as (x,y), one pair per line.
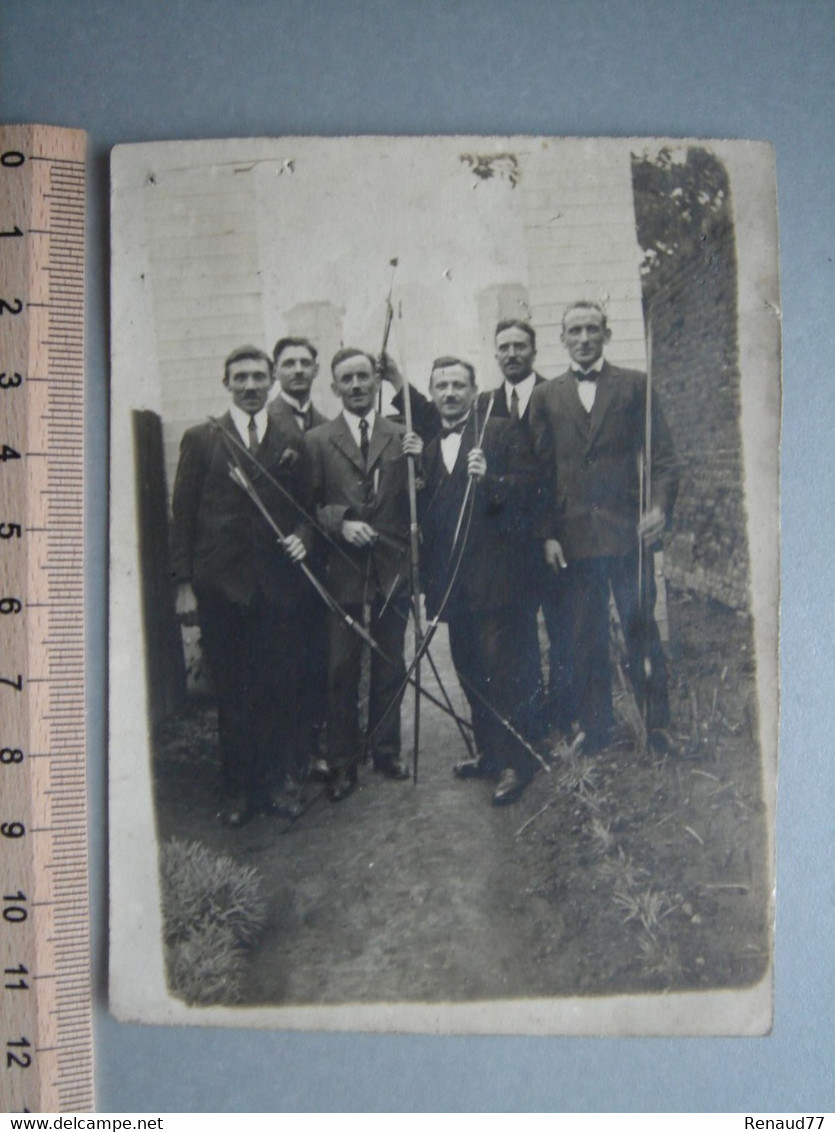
(204,68)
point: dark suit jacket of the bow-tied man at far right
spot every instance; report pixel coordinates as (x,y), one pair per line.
(593,461)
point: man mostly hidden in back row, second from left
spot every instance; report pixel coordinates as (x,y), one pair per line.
(296,367)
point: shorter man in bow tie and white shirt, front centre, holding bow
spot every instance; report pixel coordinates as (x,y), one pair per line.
(492,622)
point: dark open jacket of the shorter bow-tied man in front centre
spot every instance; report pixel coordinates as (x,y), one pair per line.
(494,568)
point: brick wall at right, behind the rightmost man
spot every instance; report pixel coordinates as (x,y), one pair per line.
(696,371)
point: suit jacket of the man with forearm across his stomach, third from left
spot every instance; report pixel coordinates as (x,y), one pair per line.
(345,488)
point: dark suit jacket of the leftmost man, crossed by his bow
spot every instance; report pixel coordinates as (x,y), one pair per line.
(220,542)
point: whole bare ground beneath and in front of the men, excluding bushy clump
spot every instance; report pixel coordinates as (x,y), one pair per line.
(614,874)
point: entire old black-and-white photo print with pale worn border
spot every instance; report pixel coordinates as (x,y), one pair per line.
(445,585)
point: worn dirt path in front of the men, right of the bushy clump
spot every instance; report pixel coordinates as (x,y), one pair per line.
(402,893)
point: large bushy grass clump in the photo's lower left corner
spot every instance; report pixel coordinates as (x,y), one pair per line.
(213,910)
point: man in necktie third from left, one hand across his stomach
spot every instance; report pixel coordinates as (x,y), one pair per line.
(361,495)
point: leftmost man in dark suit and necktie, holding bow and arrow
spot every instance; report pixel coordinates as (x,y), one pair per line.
(246,588)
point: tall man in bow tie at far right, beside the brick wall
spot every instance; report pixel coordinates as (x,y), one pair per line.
(588,428)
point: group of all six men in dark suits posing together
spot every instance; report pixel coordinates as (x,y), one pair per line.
(529,500)
